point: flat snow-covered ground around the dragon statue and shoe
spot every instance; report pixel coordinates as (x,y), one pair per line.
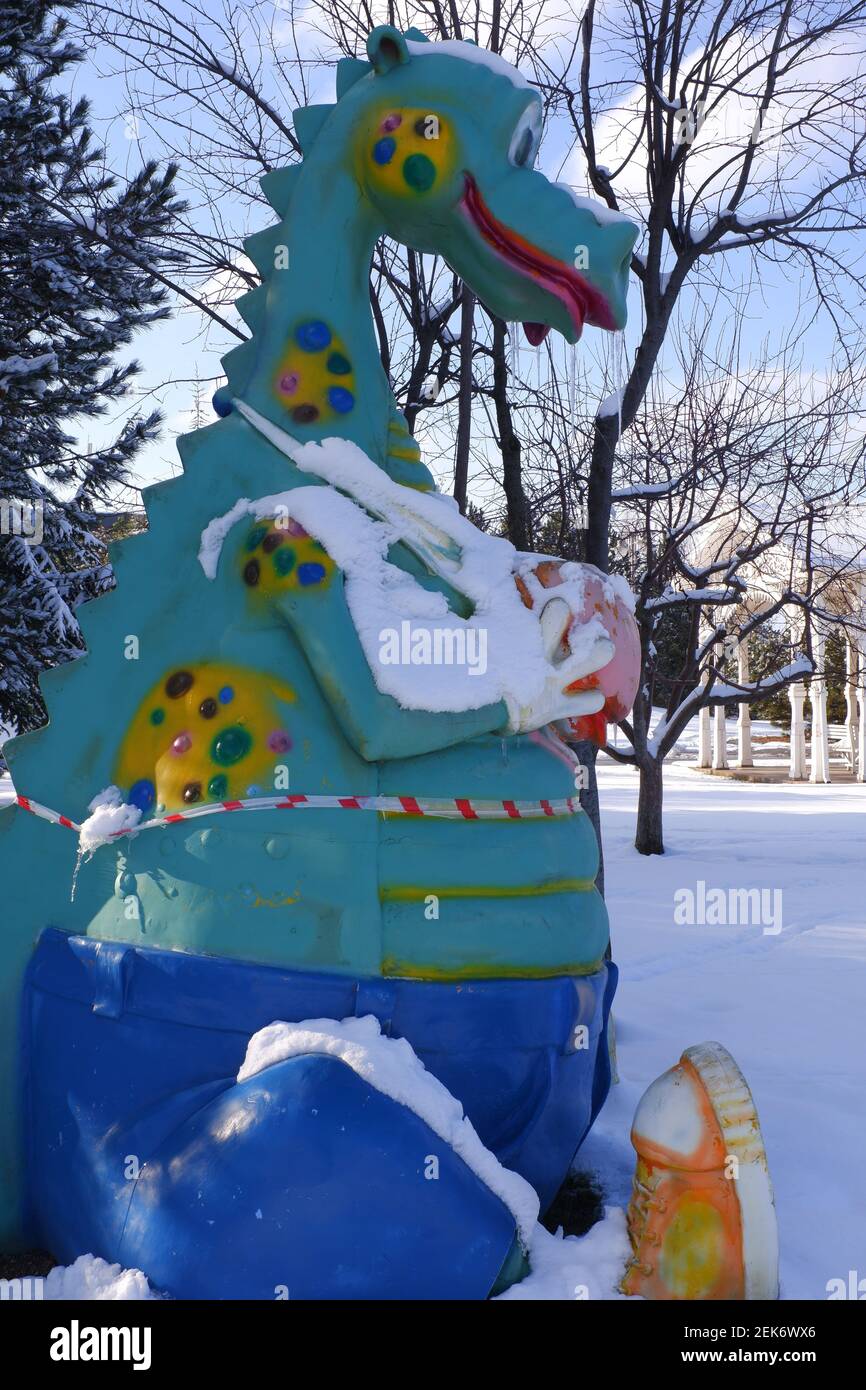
(787,1003)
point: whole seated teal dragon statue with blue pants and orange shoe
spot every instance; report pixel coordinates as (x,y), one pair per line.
(340,890)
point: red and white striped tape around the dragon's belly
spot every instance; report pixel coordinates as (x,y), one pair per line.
(458,808)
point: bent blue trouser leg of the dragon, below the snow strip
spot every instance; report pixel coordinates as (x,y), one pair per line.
(305,1182)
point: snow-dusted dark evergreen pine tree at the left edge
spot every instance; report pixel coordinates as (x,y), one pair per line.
(79,258)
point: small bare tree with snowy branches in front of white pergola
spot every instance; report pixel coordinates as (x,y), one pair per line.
(730,493)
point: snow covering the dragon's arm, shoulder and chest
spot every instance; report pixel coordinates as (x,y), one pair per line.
(382,597)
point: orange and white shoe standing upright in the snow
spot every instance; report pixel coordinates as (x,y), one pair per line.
(701,1218)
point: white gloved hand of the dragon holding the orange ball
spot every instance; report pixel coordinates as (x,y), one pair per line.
(554,703)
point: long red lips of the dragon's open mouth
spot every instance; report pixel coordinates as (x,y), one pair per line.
(583,302)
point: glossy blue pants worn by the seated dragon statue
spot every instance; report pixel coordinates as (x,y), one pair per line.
(302,1182)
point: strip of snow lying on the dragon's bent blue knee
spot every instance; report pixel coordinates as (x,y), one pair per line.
(393,1068)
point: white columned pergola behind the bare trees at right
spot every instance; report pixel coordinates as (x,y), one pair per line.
(843,603)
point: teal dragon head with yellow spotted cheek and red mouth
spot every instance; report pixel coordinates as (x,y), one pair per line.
(444,151)
